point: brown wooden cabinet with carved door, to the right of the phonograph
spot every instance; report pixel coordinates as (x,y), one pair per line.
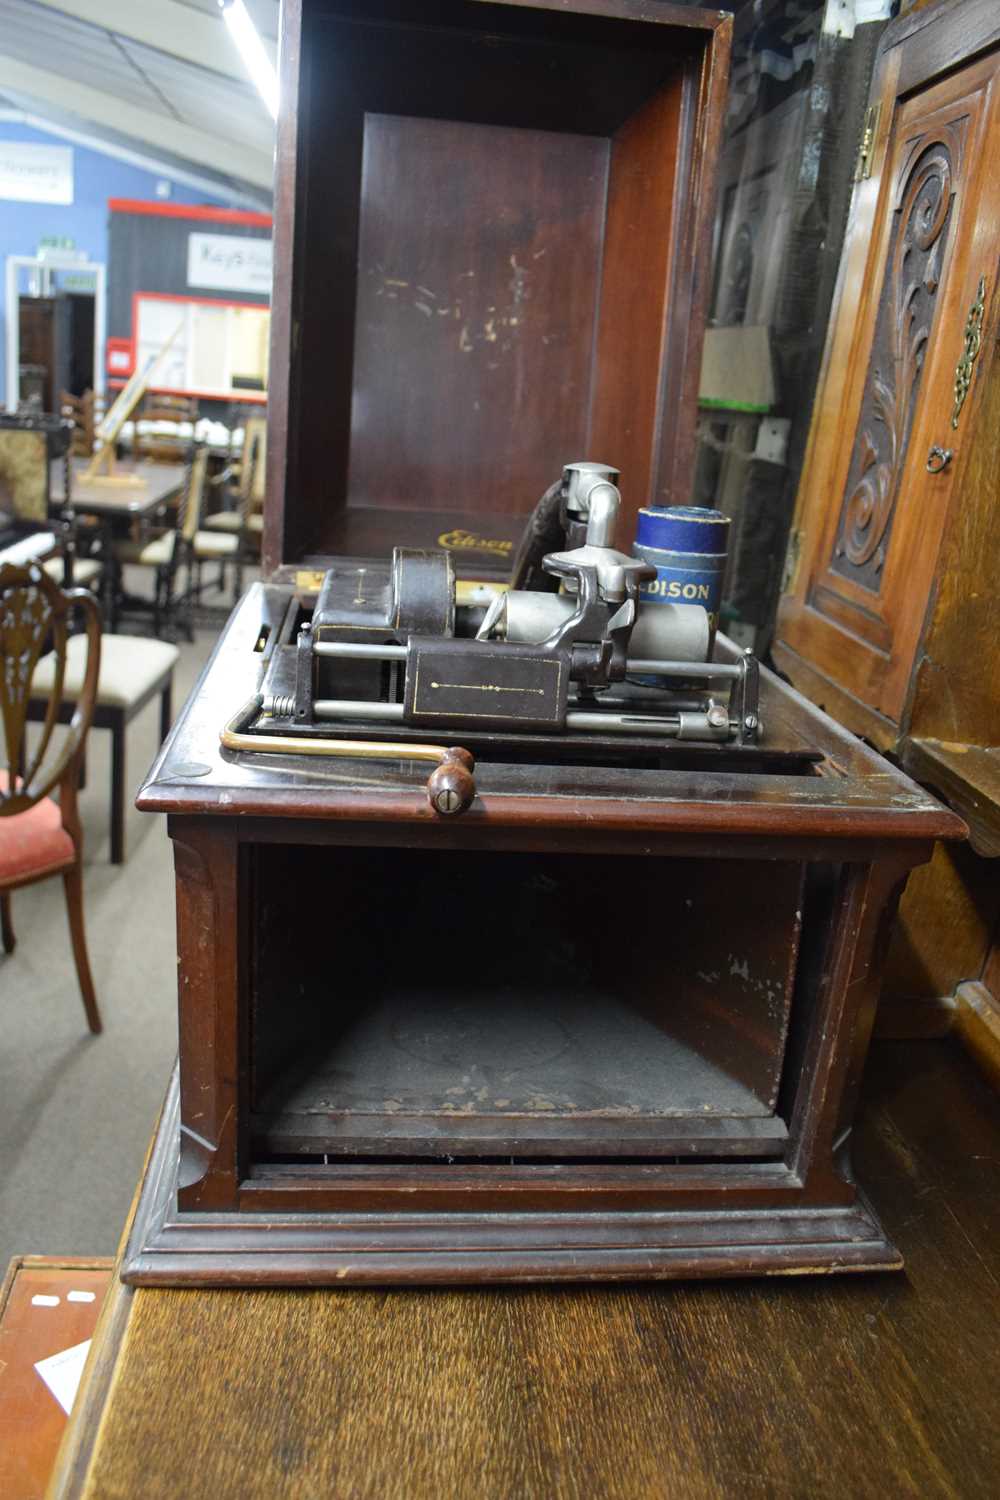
(890,619)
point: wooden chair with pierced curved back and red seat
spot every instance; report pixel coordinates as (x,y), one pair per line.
(38,836)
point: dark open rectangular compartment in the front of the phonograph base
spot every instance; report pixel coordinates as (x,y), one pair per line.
(513,1007)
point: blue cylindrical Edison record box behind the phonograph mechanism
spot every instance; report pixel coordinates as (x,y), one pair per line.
(687,547)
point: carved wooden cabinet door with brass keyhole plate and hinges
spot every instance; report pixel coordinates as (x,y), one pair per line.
(920,266)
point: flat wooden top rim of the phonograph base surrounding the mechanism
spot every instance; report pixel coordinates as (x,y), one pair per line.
(872,802)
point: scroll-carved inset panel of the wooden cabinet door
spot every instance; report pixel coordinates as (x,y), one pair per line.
(927,182)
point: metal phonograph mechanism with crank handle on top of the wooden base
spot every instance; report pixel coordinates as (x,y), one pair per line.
(581,652)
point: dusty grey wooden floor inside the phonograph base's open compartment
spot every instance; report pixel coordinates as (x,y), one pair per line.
(467,1070)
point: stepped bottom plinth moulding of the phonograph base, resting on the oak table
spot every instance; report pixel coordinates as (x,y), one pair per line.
(265,1249)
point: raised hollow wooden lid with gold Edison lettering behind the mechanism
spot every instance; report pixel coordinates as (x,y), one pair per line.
(493,241)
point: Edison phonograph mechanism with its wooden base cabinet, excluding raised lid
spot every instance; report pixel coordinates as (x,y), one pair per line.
(590,998)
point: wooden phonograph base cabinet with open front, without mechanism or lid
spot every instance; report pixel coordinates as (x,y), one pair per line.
(608,1024)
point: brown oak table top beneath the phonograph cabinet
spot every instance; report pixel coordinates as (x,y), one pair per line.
(803,1387)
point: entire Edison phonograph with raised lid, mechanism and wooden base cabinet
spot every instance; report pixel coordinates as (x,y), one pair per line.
(584,988)
